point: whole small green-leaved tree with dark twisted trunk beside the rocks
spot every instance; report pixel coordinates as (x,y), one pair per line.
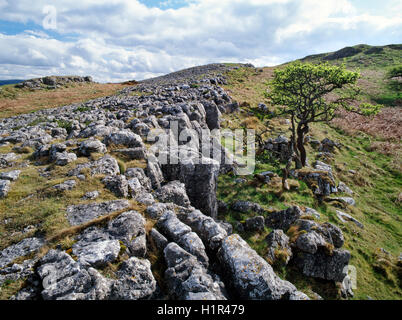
(312,93)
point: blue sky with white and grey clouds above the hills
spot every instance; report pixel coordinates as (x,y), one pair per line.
(118,40)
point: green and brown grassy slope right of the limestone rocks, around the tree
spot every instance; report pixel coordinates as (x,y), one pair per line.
(368,162)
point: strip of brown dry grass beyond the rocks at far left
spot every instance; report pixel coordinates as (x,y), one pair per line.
(28,101)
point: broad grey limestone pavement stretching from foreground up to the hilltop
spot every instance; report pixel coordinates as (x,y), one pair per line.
(108,255)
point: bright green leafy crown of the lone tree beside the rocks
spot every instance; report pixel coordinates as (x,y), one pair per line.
(304,89)
